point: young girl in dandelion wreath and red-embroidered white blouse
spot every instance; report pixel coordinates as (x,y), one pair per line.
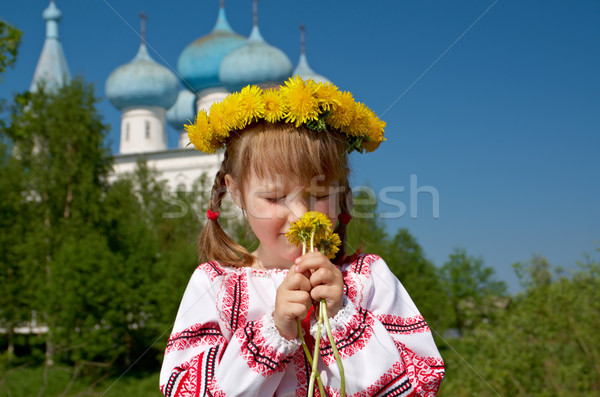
(236,331)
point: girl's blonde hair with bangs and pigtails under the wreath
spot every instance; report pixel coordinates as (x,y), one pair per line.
(282,149)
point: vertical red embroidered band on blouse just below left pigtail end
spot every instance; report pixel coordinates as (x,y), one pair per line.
(234,300)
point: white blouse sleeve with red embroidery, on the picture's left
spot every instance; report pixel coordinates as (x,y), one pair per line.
(201,359)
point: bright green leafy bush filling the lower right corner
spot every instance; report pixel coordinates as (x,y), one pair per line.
(545,343)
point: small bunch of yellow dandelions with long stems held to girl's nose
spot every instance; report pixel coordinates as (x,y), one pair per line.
(313,231)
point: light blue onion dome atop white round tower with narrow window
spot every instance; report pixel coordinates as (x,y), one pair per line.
(142,82)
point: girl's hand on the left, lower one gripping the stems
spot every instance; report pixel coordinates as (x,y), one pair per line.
(292,303)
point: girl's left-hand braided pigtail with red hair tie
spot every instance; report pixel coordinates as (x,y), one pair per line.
(214,243)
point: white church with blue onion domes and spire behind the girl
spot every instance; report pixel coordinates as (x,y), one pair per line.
(149,95)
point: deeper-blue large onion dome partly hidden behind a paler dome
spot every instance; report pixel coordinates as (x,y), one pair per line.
(199,63)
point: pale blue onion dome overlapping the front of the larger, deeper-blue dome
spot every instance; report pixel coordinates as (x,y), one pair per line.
(254,63)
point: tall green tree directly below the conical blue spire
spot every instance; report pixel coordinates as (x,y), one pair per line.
(58,141)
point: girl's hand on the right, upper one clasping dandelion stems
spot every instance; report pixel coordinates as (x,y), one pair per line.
(326,280)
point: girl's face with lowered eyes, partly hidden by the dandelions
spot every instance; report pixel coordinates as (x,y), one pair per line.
(273,203)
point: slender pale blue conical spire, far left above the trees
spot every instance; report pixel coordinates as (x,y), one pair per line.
(52,68)
